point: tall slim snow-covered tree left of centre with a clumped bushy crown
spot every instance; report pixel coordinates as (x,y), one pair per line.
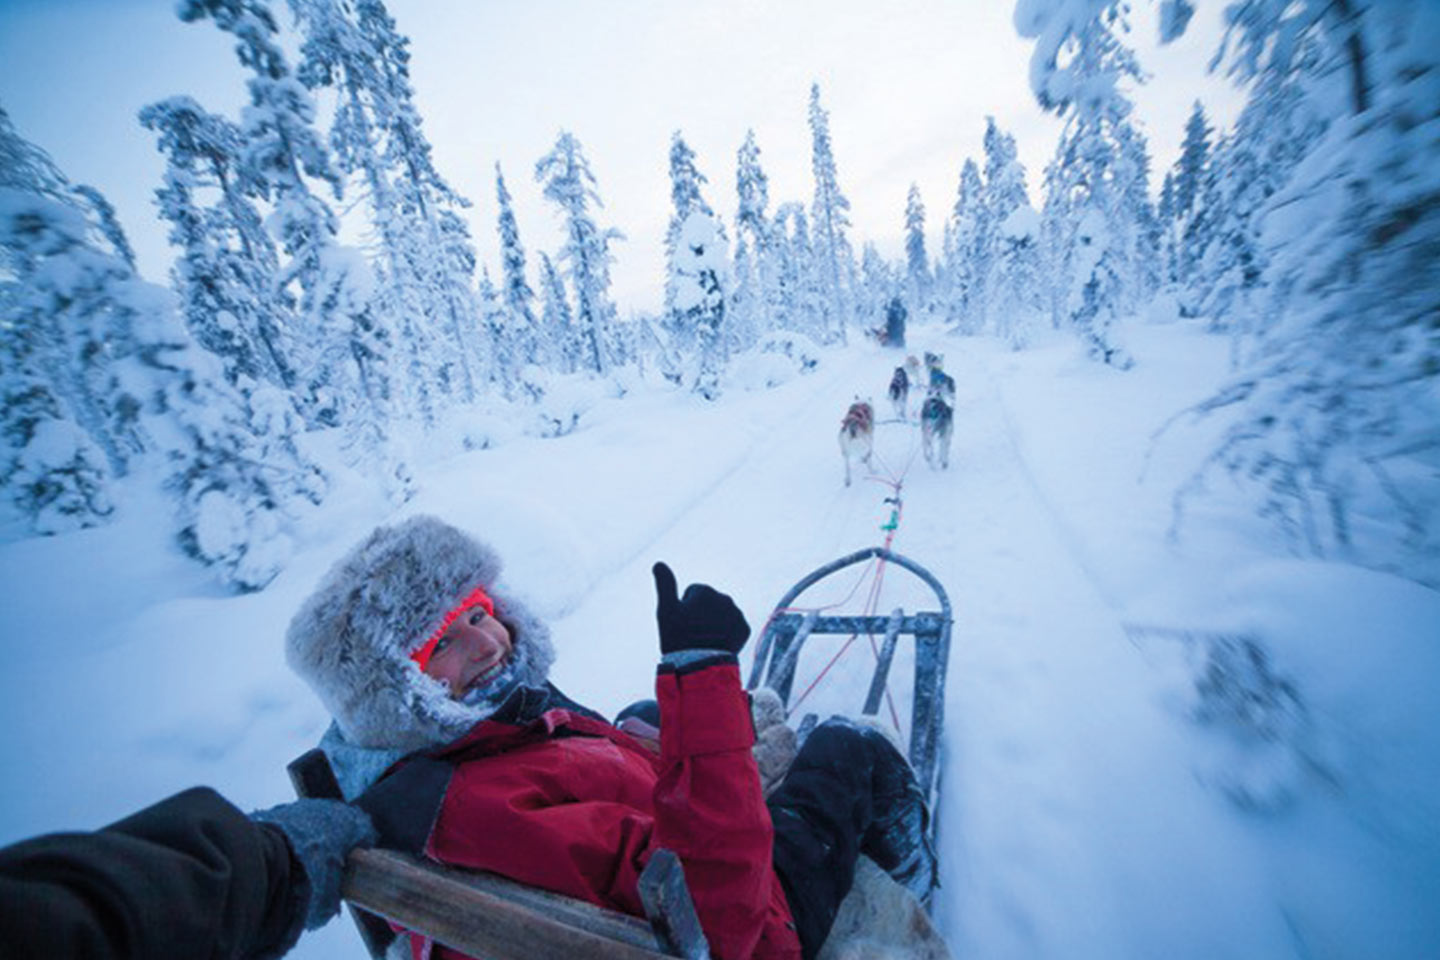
(587,257)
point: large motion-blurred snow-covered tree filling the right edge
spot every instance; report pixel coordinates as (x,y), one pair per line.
(1336,409)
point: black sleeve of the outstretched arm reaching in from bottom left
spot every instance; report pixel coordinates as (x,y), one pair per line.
(189,877)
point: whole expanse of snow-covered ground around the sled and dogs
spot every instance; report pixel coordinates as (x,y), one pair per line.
(1098,801)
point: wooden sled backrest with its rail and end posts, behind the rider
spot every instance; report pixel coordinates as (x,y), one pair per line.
(489,916)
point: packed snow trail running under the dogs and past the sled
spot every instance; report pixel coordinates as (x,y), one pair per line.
(1056,736)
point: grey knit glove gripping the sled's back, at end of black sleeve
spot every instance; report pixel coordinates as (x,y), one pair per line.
(322,834)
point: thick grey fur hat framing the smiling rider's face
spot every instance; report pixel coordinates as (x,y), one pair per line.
(352,640)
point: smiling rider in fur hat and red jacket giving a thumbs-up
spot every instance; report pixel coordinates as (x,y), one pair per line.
(450,735)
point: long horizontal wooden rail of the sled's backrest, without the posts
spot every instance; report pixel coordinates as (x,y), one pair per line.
(487,916)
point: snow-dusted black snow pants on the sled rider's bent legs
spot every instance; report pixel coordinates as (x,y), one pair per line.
(849,792)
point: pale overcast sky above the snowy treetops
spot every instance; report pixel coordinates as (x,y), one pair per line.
(908,86)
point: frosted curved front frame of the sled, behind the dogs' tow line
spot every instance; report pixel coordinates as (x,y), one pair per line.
(788,631)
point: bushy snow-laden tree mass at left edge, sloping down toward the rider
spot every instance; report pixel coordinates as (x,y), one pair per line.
(83,320)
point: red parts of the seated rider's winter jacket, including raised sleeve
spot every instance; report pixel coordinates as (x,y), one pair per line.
(575,807)
